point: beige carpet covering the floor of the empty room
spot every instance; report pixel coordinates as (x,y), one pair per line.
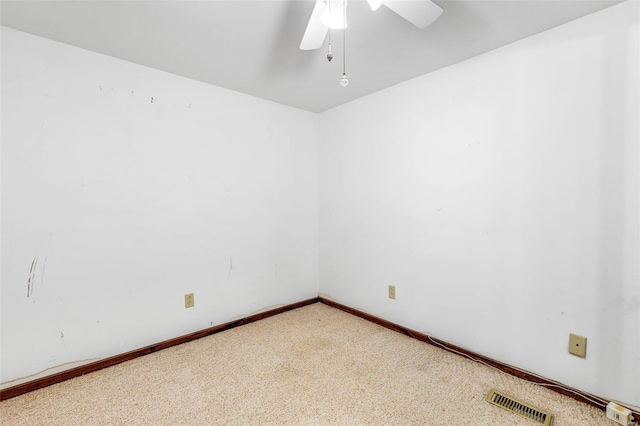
(312,366)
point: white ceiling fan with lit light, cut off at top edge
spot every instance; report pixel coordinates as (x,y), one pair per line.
(329,14)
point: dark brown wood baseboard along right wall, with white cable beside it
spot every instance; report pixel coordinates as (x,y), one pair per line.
(550,384)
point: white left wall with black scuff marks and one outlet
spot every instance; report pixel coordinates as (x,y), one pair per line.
(124,188)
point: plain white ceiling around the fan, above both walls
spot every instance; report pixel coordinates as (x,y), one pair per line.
(252,46)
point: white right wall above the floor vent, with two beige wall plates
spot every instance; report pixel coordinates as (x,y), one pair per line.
(500,196)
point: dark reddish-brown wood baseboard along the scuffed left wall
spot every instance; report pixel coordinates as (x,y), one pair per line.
(30,386)
